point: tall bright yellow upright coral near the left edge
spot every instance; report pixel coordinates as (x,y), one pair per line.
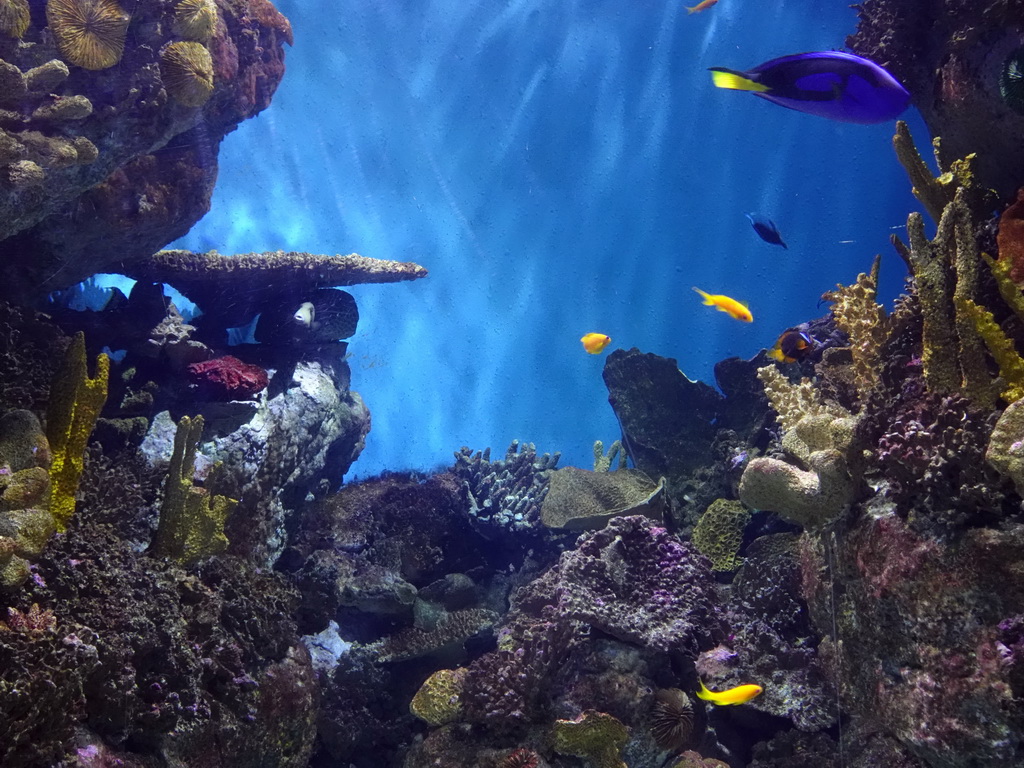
(76,402)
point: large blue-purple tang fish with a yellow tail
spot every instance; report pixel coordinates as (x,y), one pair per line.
(830,84)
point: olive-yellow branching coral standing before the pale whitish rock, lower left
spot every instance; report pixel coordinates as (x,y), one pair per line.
(192,520)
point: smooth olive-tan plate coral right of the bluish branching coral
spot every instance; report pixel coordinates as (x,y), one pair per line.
(581,500)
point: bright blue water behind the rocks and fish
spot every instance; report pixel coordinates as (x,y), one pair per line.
(560,168)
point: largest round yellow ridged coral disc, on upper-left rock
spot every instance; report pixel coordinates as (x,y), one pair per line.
(90,34)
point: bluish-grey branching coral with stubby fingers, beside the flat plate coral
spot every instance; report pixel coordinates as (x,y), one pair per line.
(507,493)
